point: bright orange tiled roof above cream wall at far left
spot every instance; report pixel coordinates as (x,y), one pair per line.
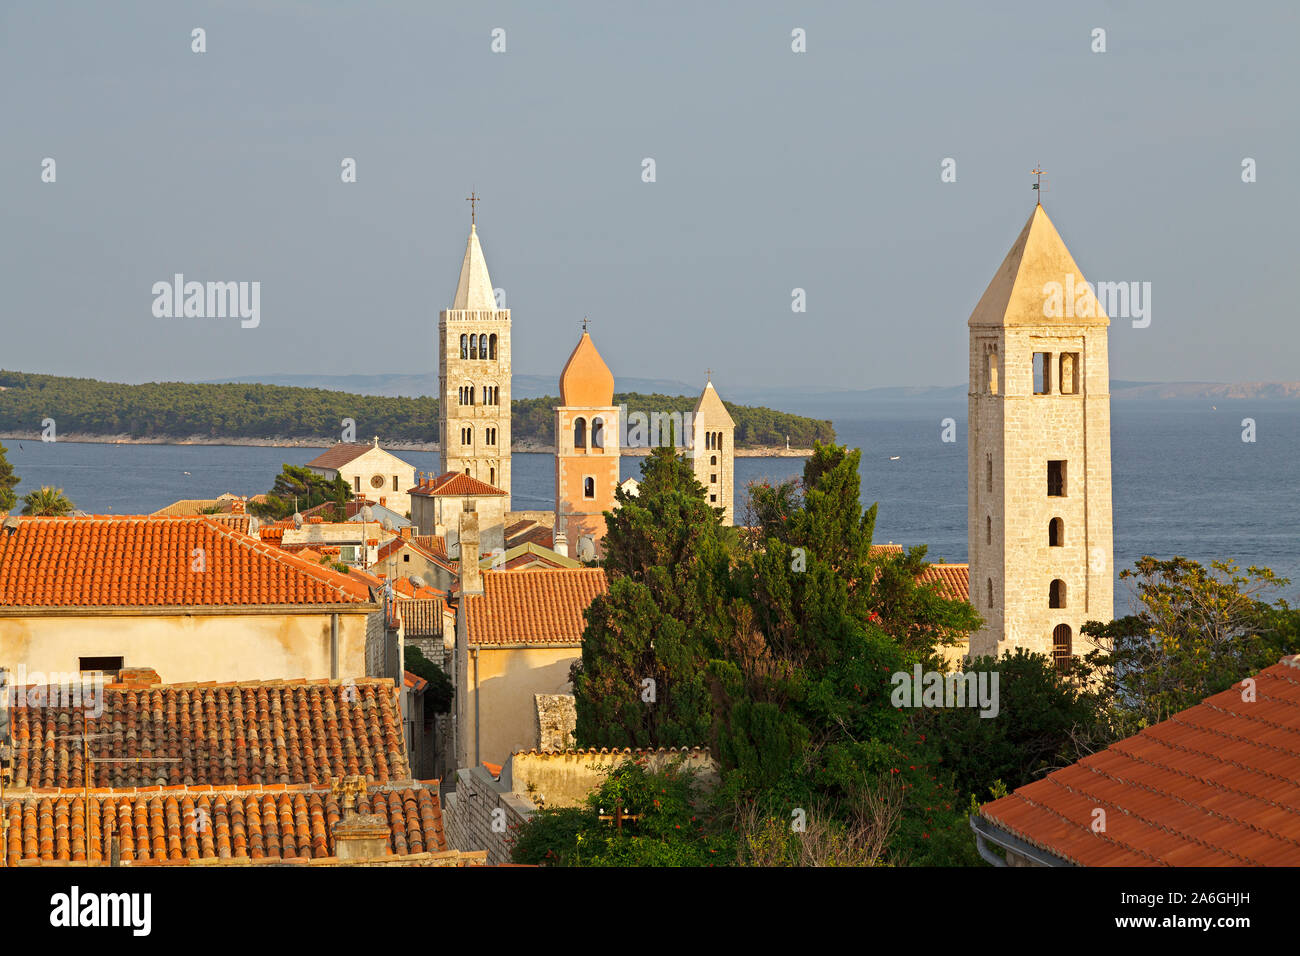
(144,561)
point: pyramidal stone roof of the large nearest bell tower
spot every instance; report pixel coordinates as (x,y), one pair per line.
(1021,293)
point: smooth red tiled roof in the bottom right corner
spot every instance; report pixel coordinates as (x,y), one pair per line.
(1217,785)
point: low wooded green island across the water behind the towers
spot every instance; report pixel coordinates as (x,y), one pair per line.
(249,414)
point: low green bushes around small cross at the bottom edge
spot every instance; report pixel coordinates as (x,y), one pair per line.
(670,825)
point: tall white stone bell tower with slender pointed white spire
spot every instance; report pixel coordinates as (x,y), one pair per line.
(474,377)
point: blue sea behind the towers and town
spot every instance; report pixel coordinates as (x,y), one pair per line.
(1185,483)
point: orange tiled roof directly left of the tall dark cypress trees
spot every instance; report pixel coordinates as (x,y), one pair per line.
(534,608)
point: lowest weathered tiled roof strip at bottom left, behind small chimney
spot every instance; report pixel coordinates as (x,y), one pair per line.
(187,825)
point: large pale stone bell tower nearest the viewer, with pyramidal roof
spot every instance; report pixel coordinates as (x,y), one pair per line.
(1039,453)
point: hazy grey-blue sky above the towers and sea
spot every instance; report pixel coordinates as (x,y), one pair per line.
(774,171)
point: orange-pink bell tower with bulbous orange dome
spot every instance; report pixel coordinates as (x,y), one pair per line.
(587,452)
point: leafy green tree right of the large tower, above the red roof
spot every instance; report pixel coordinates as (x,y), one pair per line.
(1199,633)
